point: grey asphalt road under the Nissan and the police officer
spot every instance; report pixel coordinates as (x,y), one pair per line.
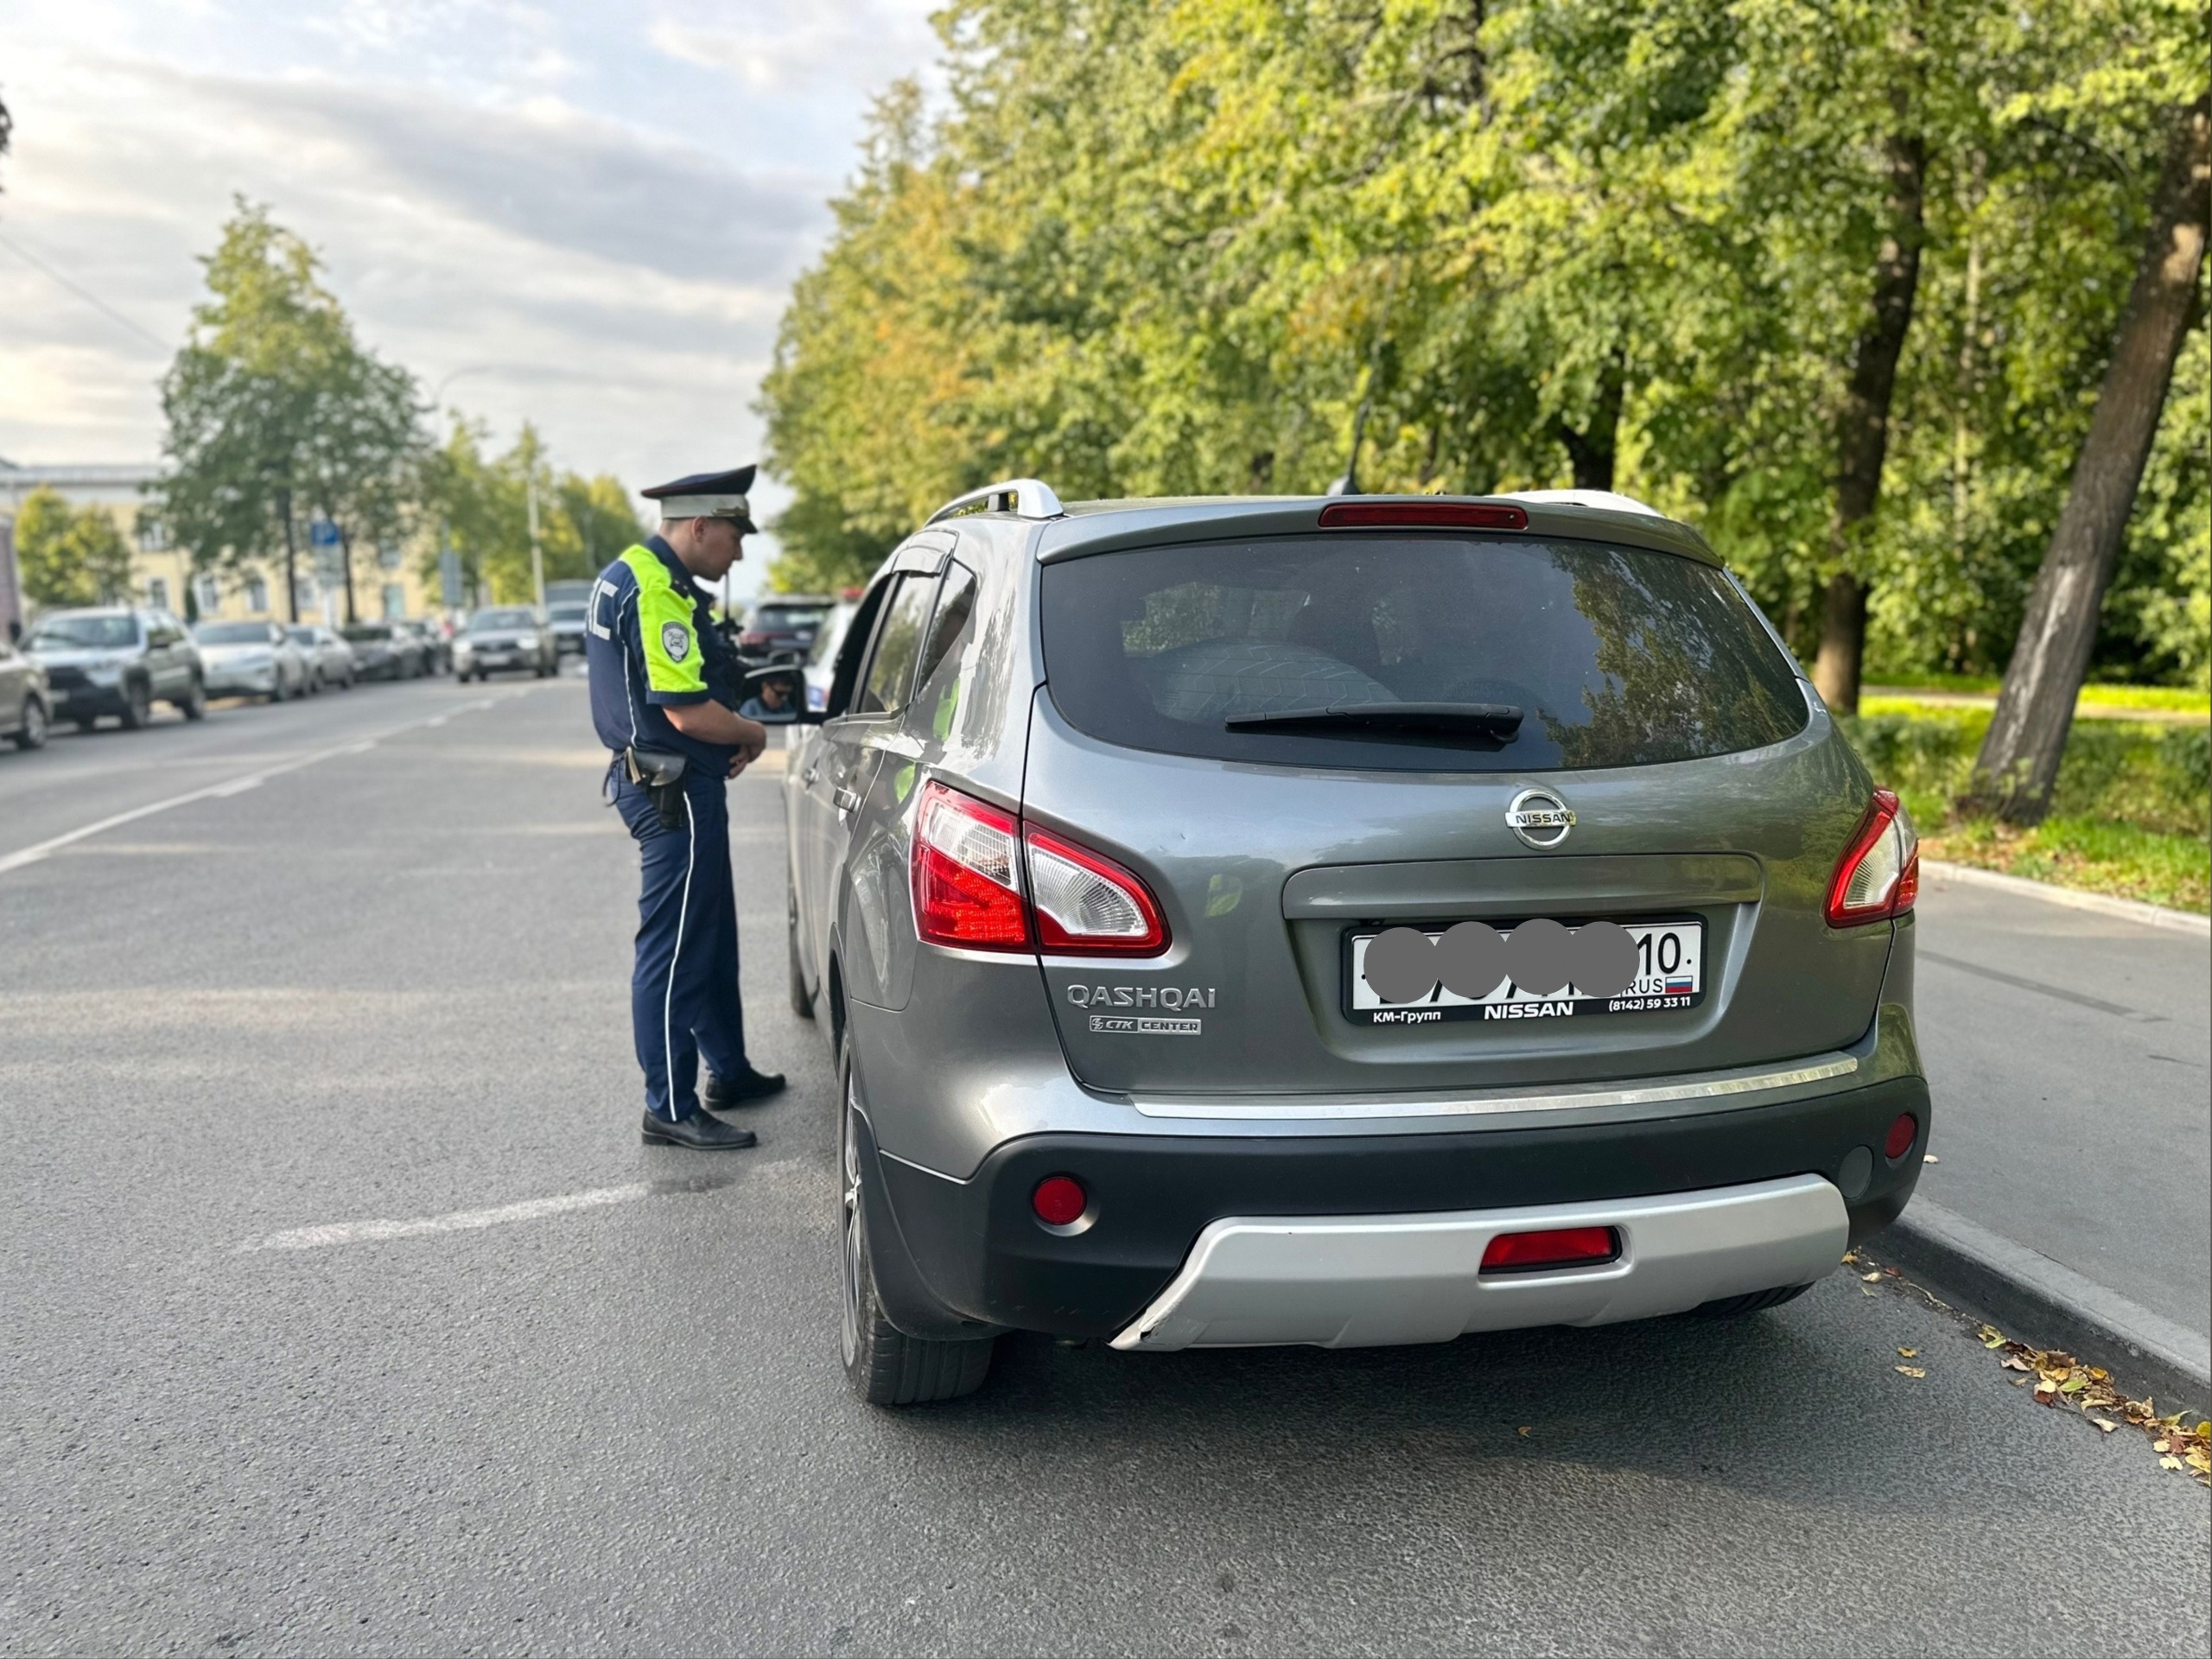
(585,1395)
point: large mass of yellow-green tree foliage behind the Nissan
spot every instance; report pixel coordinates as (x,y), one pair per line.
(1501,244)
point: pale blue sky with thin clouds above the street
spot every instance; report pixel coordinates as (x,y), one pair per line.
(581,213)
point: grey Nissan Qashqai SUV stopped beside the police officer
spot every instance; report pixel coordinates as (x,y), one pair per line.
(1337,921)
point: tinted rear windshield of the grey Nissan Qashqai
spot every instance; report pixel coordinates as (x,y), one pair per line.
(1611,656)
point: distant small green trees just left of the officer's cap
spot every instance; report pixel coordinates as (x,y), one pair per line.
(483,510)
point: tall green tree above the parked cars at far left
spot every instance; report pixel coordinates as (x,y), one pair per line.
(278,413)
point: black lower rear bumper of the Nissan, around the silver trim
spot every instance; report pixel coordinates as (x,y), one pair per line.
(961,1258)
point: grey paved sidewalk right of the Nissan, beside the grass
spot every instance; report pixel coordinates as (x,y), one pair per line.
(2069,1056)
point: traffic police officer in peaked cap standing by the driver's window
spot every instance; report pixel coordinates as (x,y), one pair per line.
(665,689)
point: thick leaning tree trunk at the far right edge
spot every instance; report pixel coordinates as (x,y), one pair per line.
(2027,738)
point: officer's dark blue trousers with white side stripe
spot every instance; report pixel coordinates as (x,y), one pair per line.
(685,983)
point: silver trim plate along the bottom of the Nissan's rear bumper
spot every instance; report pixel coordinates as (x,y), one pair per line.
(1368,1282)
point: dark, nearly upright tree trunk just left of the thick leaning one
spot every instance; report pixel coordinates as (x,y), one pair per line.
(1864,430)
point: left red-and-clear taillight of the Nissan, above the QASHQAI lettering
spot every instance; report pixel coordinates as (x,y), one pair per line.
(968,886)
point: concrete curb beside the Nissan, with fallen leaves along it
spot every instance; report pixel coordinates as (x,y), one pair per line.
(2047,1304)
